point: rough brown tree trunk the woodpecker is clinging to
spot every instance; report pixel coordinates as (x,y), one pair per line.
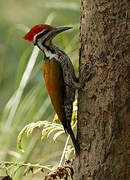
(104,108)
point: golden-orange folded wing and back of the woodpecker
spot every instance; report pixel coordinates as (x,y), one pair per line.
(55,85)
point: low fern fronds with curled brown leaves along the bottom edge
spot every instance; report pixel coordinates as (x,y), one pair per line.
(64,171)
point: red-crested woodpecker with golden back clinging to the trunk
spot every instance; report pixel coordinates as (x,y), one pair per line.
(59,75)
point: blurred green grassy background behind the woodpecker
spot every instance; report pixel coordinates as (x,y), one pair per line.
(23,97)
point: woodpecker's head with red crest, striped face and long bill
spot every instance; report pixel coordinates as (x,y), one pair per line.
(43,34)
